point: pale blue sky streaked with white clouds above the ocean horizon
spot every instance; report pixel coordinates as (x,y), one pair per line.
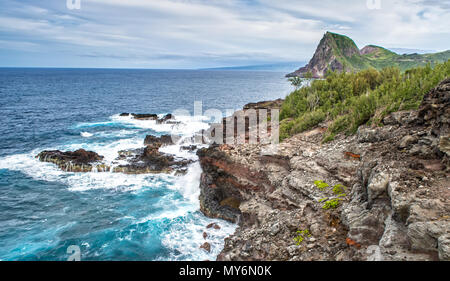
(207,33)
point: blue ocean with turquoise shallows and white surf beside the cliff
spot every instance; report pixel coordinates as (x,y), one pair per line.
(108,216)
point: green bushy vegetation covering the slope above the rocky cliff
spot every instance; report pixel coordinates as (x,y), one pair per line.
(350,100)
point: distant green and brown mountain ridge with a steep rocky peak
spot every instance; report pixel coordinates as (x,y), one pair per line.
(339,52)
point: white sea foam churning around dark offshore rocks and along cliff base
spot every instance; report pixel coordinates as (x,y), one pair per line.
(185,235)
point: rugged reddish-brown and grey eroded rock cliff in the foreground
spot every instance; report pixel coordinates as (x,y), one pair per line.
(394,202)
